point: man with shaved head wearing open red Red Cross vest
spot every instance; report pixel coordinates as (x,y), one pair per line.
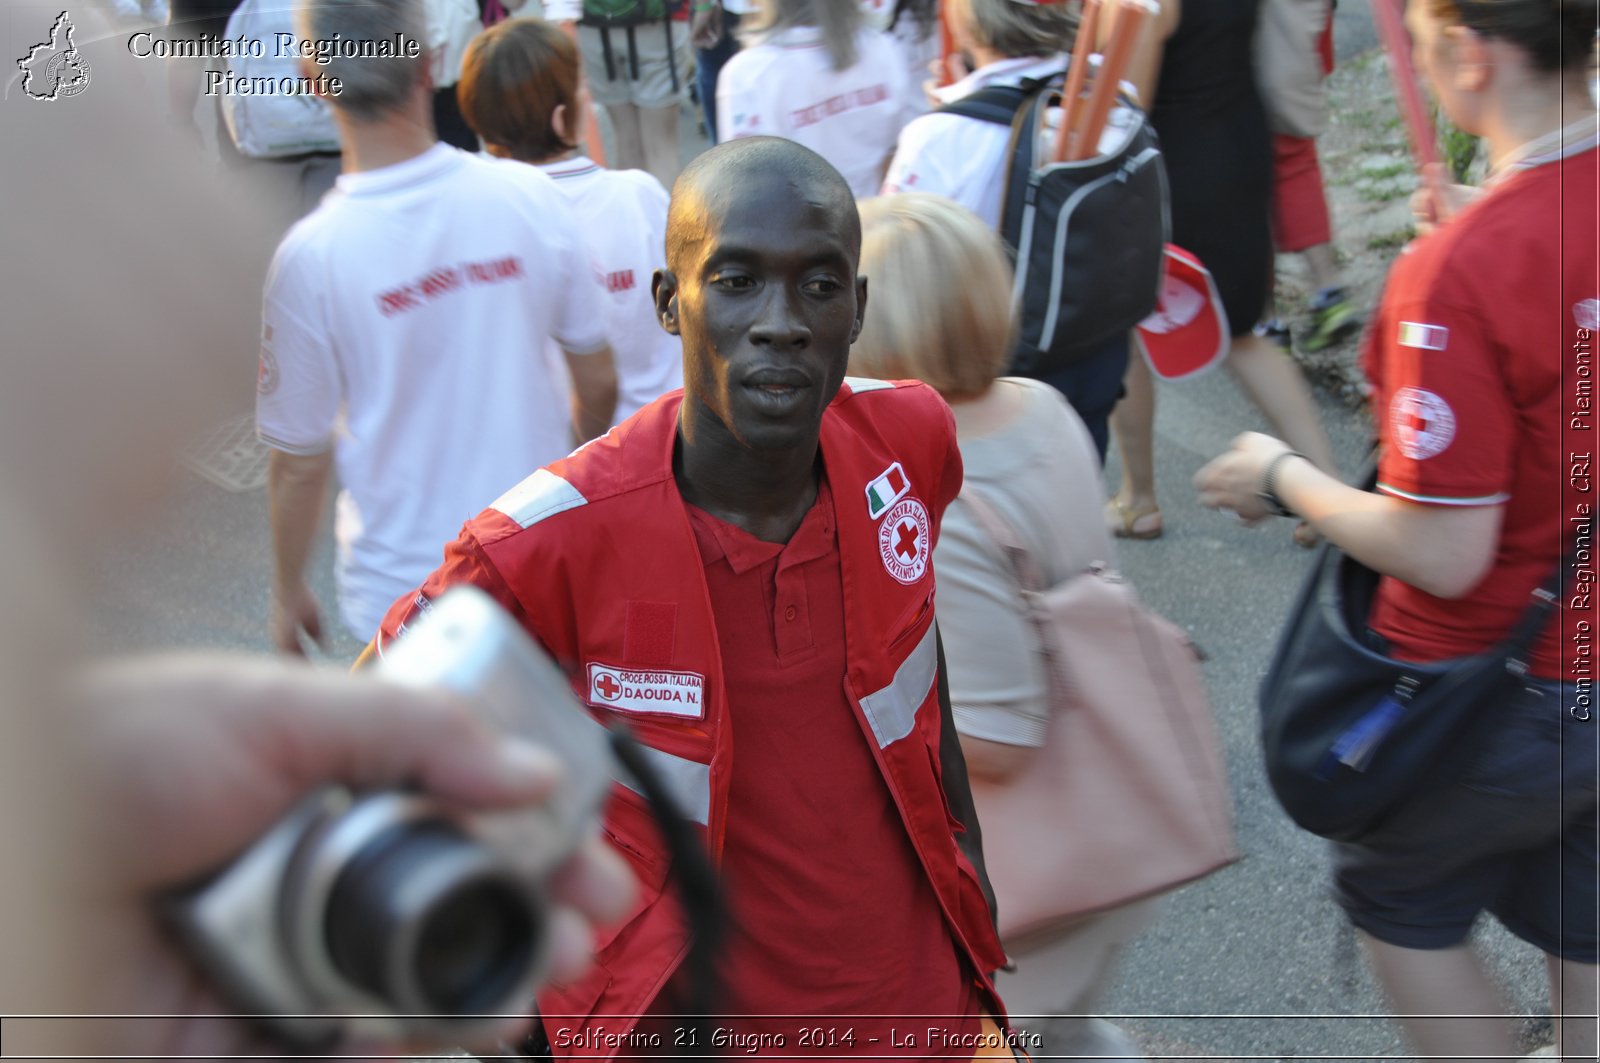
(743,572)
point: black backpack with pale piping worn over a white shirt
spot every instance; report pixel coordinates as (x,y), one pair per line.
(1087,238)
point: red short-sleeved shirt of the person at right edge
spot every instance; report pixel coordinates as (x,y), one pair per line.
(1482,364)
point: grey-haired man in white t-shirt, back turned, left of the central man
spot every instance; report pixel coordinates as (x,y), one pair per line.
(404,334)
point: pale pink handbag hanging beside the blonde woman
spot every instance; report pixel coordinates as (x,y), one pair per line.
(1129,796)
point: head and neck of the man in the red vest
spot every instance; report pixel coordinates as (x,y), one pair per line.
(764,289)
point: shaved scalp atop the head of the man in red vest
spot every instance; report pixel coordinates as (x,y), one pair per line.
(722,177)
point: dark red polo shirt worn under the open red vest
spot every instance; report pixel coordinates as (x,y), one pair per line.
(833,921)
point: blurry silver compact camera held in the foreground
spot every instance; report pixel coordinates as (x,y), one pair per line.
(385,915)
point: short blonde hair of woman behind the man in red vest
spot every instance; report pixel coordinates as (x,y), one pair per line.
(938,295)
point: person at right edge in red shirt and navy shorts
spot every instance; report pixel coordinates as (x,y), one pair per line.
(1482,361)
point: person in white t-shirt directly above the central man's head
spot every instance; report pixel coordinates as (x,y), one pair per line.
(815,74)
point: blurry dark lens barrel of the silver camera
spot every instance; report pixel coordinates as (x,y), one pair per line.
(433,923)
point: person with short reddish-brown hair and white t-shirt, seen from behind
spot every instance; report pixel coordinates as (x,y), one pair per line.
(521,94)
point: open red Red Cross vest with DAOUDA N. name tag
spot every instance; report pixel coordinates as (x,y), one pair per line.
(598,560)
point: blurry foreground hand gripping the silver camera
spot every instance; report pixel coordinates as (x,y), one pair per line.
(193,758)
